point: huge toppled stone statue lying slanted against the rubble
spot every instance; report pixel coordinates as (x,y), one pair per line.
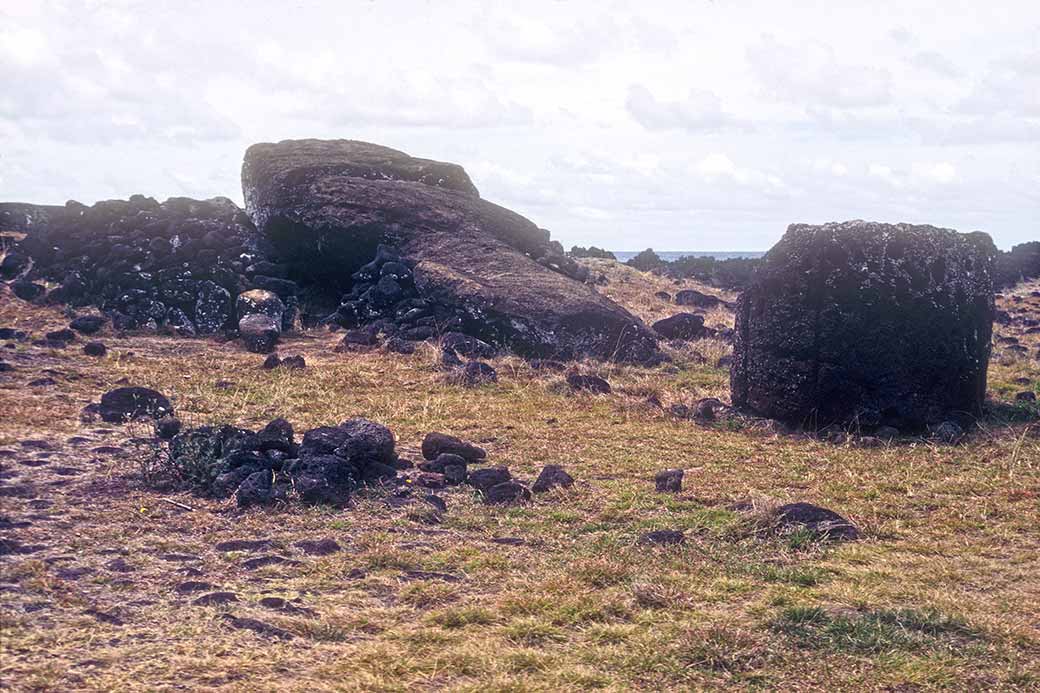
(326,207)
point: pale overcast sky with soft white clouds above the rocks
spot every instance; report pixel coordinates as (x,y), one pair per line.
(691,125)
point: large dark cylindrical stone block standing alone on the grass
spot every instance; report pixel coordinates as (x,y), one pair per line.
(860,319)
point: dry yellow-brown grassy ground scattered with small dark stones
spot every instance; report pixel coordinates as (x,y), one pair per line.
(108,583)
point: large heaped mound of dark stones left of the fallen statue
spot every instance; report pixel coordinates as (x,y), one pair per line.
(173,265)
